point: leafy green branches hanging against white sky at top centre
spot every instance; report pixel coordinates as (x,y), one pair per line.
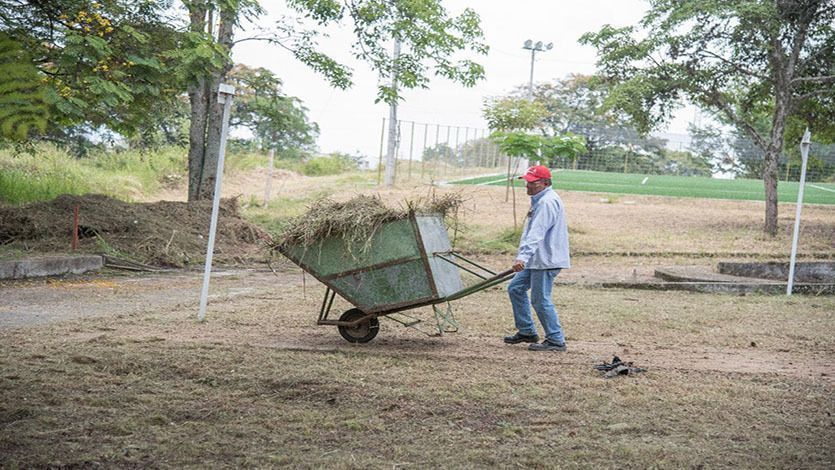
(430,38)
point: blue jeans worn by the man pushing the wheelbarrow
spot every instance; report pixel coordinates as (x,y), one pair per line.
(539,282)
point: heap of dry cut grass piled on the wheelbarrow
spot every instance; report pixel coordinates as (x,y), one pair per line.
(359,218)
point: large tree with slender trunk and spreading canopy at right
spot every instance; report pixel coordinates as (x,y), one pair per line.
(741,59)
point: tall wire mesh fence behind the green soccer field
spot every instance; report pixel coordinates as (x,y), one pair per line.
(433,151)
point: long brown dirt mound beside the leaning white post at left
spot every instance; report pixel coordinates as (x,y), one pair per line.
(162,233)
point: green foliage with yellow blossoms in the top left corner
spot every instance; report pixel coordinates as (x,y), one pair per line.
(100,63)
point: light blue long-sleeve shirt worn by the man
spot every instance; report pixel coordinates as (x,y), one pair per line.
(544,242)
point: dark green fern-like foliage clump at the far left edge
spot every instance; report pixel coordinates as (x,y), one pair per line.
(22,98)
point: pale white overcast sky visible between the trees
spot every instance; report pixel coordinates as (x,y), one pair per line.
(350,121)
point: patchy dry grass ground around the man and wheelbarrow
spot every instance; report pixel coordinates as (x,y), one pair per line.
(114,370)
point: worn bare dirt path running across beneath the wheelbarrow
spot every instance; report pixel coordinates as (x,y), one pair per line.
(61,304)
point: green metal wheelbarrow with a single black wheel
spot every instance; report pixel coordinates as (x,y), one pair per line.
(407,263)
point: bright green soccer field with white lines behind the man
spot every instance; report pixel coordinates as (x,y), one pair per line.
(676,186)
